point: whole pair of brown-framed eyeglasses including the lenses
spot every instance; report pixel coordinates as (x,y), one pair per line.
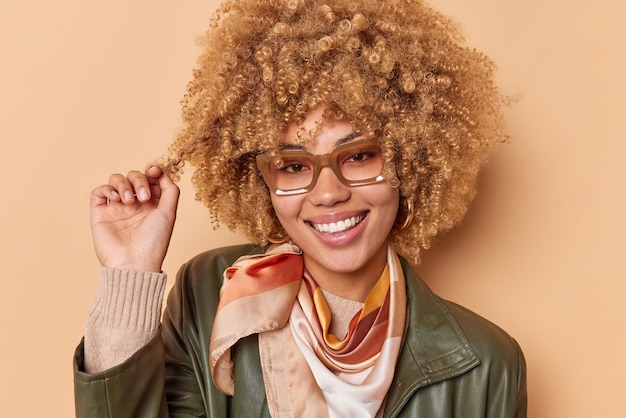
(295,171)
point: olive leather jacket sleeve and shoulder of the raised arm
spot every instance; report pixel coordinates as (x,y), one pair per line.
(167,377)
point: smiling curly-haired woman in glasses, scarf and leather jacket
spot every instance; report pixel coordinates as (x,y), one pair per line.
(341,137)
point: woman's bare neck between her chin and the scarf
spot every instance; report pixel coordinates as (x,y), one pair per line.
(354,285)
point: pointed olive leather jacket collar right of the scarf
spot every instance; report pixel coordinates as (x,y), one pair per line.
(435,347)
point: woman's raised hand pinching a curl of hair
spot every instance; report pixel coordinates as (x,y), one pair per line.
(132,219)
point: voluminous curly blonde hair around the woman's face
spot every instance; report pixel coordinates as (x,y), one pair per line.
(394,68)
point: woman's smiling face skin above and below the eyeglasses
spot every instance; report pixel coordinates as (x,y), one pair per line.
(342,248)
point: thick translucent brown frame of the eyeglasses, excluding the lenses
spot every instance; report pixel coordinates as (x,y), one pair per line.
(319,161)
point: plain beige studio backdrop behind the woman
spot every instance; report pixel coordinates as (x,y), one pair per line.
(89,88)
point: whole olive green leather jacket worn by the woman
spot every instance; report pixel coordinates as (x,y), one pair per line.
(453,363)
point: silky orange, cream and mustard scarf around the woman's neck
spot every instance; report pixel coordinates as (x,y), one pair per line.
(307,371)
